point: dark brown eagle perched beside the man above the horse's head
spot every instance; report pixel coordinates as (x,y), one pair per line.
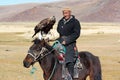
(44,26)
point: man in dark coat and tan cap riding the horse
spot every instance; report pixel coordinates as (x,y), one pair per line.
(69,30)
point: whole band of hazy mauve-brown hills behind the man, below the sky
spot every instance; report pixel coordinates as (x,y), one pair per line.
(84,10)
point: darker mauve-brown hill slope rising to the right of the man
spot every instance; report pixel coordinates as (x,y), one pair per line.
(108,12)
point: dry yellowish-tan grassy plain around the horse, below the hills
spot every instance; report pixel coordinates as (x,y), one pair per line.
(101,39)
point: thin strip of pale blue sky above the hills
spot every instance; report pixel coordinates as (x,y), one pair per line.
(10,2)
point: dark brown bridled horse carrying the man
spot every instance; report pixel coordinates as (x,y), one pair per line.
(42,52)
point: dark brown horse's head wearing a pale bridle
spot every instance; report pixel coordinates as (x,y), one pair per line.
(34,52)
